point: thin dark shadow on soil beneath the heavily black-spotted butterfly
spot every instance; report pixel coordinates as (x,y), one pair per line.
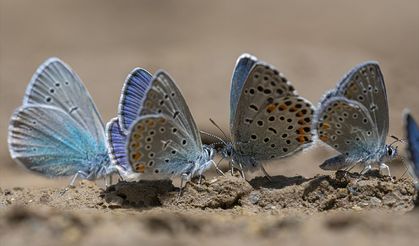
(277,182)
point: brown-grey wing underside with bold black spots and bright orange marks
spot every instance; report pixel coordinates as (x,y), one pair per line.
(271,120)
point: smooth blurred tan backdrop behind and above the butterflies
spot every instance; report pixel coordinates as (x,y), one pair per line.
(314,43)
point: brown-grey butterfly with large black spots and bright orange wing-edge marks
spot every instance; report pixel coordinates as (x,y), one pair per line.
(268,119)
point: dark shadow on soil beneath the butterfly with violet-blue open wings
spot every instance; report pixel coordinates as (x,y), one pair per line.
(141,194)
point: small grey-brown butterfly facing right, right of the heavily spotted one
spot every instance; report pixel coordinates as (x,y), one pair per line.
(353,119)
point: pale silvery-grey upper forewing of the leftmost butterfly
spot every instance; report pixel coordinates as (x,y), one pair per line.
(55,84)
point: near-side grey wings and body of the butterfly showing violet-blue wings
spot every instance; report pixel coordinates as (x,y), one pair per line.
(164,140)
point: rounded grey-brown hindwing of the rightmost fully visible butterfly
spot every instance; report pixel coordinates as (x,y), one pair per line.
(347,127)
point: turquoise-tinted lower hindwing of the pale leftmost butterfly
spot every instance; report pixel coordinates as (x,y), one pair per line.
(47,140)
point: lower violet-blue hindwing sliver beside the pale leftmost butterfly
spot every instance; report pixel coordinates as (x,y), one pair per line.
(117,142)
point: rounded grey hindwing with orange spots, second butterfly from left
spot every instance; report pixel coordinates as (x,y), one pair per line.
(158,147)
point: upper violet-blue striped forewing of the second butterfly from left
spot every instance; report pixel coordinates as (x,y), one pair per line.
(132,97)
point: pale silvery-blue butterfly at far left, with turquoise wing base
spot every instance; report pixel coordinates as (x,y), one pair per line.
(57,131)
